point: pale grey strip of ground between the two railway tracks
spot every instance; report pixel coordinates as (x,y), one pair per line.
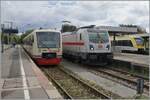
(105,83)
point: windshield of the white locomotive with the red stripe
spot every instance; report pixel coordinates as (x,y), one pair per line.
(98,37)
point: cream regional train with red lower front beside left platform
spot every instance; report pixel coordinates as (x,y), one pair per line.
(44,46)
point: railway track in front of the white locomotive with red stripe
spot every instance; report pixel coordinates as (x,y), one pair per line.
(120,77)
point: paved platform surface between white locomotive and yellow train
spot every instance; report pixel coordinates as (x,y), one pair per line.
(142,60)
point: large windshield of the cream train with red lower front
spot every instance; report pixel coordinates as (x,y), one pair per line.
(48,39)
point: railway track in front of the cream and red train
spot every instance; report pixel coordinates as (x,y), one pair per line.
(71,86)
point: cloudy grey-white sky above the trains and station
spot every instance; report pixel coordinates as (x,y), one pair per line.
(50,14)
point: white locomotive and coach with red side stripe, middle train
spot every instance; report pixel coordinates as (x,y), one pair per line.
(88,45)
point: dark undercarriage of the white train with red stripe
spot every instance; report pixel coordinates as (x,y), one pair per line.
(90,58)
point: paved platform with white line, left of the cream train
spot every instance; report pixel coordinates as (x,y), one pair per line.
(22,79)
